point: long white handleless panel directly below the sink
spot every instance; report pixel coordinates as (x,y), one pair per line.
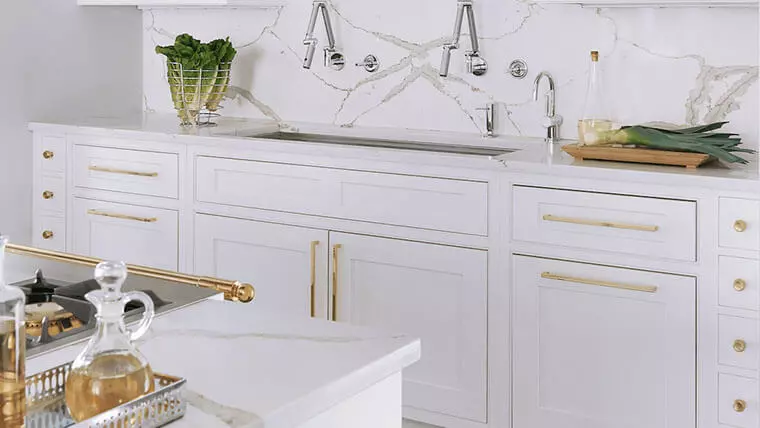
(423,202)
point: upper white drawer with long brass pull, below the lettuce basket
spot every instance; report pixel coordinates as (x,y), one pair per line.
(129,171)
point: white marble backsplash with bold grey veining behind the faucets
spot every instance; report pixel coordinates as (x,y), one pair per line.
(679,65)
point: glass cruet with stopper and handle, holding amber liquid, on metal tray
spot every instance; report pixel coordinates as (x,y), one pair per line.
(110,371)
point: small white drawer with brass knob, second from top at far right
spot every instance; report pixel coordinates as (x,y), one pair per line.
(739,282)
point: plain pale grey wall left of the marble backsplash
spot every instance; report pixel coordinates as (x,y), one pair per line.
(58,60)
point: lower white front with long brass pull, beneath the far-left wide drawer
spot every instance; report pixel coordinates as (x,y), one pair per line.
(131,233)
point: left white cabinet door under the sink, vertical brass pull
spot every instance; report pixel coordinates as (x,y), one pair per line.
(287,265)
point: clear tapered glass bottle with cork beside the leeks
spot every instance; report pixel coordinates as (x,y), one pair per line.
(596,121)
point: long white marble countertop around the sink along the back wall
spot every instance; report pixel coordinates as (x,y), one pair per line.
(531,155)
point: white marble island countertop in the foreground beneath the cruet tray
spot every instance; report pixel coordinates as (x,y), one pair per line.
(245,367)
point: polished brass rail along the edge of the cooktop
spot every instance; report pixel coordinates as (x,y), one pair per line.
(233,290)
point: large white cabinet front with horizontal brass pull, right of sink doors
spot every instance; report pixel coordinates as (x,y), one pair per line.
(590,355)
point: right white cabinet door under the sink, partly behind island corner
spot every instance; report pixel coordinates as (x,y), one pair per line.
(434,292)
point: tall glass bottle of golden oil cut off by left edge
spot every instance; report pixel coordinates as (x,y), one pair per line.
(12,351)
